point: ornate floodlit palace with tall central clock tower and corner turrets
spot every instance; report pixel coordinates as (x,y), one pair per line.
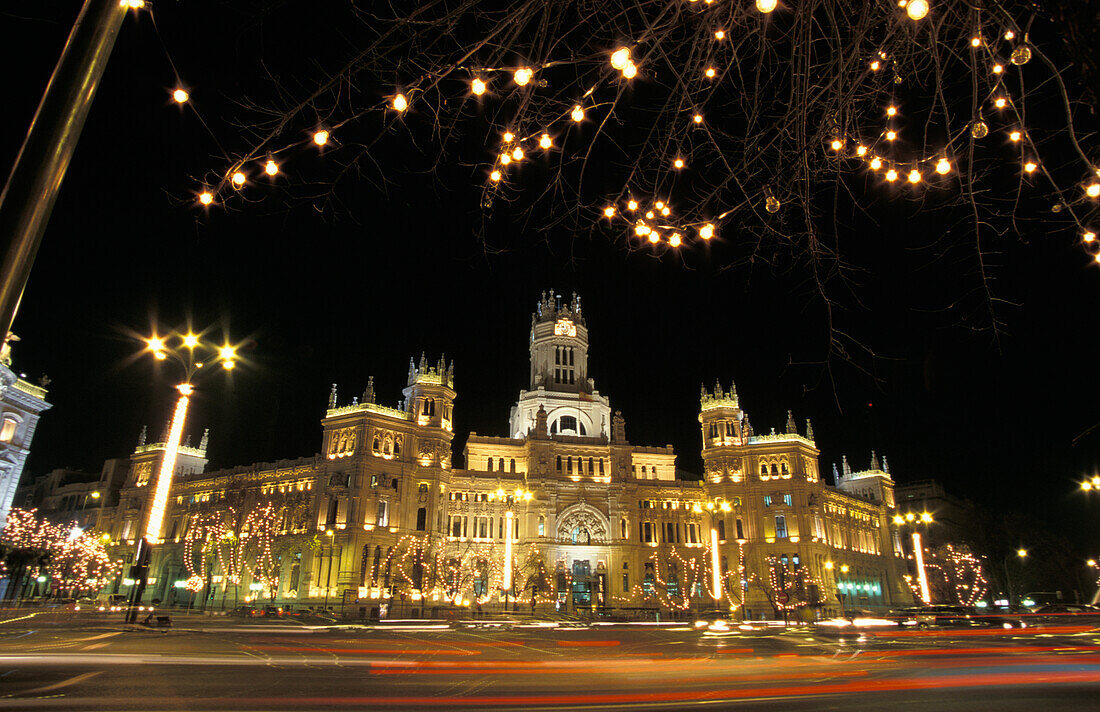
(589,521)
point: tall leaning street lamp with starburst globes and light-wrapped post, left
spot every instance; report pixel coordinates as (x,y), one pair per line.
(193,355)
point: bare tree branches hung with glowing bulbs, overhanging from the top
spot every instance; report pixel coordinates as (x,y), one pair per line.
(747,132)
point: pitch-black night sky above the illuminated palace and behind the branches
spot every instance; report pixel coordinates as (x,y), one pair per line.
(338,295)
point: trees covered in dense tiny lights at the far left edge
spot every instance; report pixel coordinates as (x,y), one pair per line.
(35,550)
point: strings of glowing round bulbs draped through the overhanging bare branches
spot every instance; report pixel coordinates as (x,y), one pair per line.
(667,214)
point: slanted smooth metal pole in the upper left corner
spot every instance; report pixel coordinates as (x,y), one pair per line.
(31,191)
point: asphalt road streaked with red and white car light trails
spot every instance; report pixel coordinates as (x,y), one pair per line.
(234,666)
